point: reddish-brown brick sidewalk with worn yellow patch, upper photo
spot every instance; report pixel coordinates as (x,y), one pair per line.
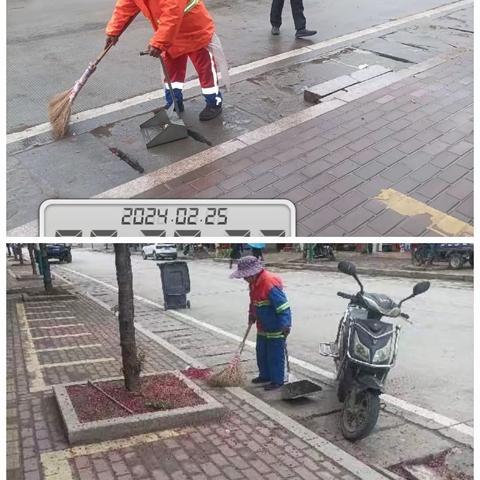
(414,137)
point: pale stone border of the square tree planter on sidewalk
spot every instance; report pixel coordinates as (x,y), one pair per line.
(134,424)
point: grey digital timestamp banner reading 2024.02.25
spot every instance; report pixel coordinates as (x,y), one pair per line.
(167,218)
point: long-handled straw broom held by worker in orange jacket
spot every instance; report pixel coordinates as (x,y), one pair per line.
(60,106)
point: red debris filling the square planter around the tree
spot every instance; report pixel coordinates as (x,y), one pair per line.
(157,392)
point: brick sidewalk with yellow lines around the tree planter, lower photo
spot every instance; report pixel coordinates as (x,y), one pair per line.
(73,339)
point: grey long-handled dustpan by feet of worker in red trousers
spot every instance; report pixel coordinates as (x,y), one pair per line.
(161,129)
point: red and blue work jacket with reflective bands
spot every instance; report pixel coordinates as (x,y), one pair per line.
(269,305)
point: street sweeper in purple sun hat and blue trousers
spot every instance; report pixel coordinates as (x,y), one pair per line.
(270,309)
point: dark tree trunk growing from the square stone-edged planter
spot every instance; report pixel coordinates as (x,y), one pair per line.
(131,364)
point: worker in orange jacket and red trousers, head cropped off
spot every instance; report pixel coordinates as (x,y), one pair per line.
(183,29)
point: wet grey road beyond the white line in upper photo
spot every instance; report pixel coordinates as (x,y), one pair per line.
(49,47)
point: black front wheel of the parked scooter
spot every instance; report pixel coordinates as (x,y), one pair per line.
(359,414)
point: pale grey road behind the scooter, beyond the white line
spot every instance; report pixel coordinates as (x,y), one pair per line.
(435,361)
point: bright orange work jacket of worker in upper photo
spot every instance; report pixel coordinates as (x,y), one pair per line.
(181,26)
